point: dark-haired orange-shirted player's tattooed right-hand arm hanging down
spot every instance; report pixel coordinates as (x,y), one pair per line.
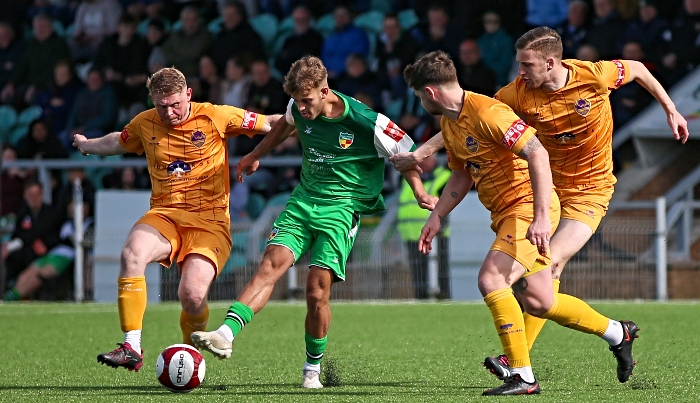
(541,178)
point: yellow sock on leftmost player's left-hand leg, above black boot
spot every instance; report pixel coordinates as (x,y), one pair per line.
(131,300)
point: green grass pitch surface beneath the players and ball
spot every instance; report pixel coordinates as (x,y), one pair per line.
(407,352)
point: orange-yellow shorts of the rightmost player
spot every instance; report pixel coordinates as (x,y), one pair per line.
(586,203)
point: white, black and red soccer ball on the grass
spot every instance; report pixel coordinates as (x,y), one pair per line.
(180,368)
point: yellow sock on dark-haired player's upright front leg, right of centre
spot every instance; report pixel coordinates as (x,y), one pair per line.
(508,319)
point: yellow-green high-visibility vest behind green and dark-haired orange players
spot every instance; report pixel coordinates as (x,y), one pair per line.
(411,218)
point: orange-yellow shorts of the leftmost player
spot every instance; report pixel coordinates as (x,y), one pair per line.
(189,233)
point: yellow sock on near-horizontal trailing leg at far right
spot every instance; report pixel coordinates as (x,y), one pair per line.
(572,312)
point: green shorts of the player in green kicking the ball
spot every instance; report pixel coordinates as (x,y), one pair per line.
(328,231)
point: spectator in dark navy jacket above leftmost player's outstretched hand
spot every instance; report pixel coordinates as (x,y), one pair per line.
(94,112)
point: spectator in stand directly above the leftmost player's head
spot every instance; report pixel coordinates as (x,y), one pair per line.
(185,47)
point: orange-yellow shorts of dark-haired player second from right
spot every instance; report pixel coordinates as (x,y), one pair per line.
(510,236)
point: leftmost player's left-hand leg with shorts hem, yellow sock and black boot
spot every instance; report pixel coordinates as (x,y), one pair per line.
(144,244)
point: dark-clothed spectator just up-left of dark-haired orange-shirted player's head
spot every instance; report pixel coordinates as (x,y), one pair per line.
(394,51)
